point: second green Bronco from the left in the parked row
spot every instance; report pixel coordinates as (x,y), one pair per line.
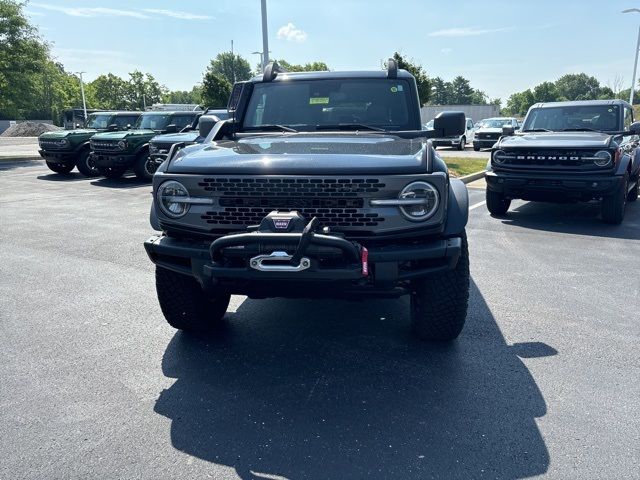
(114,153)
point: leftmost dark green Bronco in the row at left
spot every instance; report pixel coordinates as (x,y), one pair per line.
(66,149)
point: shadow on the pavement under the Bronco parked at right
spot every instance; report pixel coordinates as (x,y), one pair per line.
(574,218)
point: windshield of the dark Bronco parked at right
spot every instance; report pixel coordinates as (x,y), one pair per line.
(588,117)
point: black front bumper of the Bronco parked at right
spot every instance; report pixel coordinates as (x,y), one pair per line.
(555,186)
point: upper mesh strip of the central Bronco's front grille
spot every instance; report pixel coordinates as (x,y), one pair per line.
(292,187)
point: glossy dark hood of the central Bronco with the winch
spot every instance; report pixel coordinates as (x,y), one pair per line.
(304,155)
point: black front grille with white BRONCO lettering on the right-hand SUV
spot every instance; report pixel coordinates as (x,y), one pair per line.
(548,159)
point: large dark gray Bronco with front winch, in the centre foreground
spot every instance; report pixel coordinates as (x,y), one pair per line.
(321,184)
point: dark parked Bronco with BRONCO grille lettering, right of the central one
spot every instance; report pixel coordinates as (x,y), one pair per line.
(569,151)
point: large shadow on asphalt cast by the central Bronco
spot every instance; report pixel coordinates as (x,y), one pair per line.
(335,390)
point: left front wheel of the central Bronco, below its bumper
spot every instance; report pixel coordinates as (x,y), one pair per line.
(185,305)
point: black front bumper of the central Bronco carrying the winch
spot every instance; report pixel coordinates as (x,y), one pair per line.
(336,265)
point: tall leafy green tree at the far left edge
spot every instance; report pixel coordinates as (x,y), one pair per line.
(22,56)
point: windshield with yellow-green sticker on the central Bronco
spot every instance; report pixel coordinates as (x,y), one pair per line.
(321,104)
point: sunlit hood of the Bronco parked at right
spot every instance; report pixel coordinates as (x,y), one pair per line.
(556,140)
